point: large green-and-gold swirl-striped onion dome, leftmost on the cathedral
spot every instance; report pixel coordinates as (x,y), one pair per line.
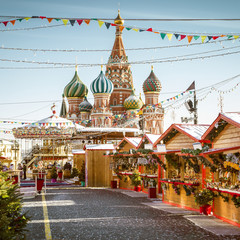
(75,88)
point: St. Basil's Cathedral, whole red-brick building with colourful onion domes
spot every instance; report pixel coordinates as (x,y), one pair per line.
(115,102)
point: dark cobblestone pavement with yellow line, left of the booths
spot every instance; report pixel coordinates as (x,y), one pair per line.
(103,214)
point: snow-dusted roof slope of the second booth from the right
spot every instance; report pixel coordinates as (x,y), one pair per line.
(195,131)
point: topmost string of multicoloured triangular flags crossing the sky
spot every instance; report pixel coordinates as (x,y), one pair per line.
(164,35)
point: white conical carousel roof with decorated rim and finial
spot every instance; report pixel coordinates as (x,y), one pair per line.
(51,127)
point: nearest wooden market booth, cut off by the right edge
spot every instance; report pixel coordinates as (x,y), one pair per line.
(224,134)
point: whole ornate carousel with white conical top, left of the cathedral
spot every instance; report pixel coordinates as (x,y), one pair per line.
(53,152)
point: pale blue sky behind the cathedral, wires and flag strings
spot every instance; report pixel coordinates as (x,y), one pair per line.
(47,85)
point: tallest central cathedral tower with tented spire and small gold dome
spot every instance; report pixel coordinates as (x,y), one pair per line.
(118,71)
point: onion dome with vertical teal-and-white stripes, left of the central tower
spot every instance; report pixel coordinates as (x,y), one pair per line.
(101,84)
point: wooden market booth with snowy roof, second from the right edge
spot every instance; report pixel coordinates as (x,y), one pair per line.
(183,175)
